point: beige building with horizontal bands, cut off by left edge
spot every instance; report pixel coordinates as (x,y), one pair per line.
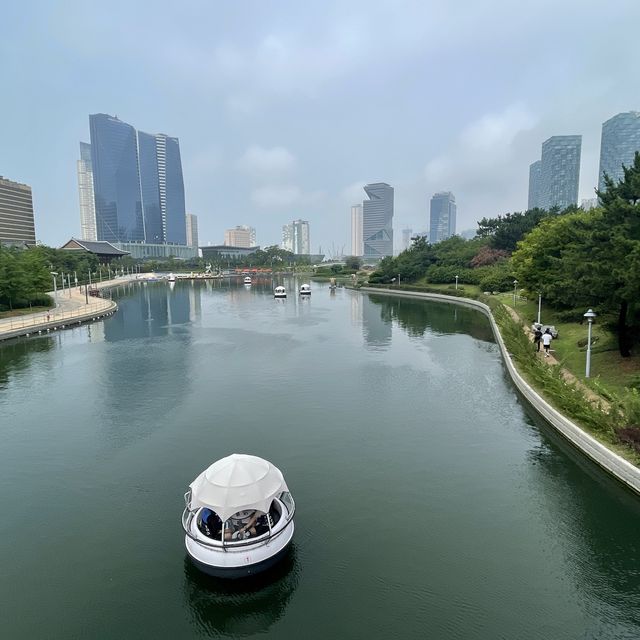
(16,213)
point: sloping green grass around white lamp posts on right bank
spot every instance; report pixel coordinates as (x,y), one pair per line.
(608,369)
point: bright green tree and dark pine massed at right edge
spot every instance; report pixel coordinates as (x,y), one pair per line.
(591,259)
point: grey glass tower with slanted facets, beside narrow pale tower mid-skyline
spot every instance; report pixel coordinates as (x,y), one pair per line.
(377,221)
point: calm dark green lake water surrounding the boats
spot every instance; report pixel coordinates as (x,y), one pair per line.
(430,505)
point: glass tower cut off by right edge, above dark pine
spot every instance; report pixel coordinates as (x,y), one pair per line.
(620,141)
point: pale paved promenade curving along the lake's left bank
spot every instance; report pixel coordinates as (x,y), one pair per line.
(73,307)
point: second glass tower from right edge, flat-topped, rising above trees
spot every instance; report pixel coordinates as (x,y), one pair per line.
(560,172)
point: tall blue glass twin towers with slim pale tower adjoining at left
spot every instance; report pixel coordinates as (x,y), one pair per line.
(131,185)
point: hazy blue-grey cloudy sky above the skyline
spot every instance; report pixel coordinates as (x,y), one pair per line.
(285,109)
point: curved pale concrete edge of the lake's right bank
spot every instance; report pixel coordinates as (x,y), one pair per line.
(609,461)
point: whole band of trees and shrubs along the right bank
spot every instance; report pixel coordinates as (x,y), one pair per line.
(575,259)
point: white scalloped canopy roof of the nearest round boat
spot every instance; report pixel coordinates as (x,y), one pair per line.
(237,483)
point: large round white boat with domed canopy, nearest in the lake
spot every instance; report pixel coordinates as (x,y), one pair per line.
(238,518)
